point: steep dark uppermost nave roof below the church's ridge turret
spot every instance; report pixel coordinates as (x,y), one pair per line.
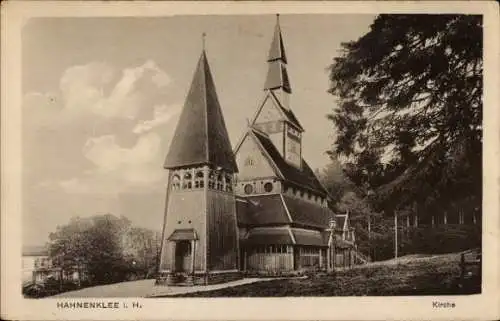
(301,176)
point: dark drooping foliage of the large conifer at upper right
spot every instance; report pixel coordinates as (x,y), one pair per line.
(409,114)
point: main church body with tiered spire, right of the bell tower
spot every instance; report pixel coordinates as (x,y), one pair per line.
(283,214)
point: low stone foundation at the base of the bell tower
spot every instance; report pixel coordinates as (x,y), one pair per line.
(181,279)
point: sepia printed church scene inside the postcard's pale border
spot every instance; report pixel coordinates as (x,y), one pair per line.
(275,154)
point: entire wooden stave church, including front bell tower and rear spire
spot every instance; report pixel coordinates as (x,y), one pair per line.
(259,209)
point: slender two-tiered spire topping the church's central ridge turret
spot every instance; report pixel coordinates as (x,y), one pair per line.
(277,76)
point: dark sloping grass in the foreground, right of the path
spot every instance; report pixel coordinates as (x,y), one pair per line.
(411,275)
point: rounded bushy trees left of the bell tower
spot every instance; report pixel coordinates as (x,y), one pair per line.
(105,246)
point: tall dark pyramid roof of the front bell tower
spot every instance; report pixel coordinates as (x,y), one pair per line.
(201,136)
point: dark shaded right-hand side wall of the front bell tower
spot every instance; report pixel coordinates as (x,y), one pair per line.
(222,249)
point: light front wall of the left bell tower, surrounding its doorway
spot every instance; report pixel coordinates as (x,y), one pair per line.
(185,210)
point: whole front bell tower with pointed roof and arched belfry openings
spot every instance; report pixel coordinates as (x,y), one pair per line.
(200,241)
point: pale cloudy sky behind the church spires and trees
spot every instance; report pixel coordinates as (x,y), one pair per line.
(102,96)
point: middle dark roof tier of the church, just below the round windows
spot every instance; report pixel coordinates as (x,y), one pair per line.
(281,209)
